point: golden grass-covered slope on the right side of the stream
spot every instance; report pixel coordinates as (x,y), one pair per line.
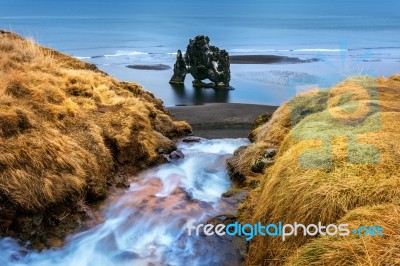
(338,161)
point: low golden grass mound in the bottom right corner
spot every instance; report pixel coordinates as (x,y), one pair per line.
(353,250)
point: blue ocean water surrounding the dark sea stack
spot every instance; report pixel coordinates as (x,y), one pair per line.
(348,37)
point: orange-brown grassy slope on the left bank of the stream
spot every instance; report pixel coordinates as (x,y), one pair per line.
(63,124)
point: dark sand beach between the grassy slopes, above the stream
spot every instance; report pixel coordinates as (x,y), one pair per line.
(221,120)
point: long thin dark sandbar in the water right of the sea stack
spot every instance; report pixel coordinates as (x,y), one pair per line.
(268,59)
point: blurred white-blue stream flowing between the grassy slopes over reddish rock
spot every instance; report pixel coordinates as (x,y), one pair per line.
(146,224)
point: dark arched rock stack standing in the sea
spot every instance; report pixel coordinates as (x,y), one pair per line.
(203,61)
